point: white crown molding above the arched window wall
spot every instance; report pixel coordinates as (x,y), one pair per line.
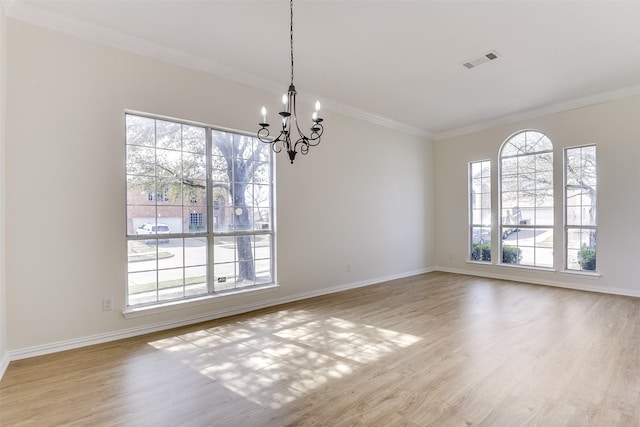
(541,112)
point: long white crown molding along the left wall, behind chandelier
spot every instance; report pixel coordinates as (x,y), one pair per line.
(21,11)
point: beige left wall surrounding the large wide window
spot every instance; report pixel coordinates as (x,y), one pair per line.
(363,197)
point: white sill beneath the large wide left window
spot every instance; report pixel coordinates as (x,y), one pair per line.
(148,310)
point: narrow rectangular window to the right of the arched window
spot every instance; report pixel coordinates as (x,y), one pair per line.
(580,207)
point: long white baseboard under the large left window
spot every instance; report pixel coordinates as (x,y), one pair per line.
(156,327)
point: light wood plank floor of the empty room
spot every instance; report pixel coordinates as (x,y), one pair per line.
(437,349)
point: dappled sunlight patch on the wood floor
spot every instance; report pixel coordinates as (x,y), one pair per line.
(273,359)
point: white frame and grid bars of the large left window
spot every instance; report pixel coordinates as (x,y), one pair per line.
(210,233)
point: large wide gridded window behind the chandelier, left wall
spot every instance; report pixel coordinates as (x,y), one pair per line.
(188,235)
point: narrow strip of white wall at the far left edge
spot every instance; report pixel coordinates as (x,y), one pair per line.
(4,355)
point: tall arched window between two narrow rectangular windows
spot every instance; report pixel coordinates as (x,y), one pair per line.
(526,199)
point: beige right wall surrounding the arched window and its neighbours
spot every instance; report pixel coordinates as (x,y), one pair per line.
(615,128)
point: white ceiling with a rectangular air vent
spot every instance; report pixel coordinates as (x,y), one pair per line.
(398,63)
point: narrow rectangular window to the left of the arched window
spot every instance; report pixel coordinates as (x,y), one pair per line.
(480,210)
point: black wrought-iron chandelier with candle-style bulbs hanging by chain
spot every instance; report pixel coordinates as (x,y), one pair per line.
(290,120)
